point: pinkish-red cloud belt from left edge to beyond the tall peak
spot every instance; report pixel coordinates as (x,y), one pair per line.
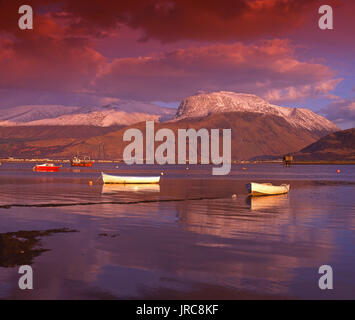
(51,60)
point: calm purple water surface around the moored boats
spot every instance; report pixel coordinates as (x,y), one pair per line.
(185,238)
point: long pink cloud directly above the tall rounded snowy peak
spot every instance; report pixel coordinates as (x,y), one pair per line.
(256,68)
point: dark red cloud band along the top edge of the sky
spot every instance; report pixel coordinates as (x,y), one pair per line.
(171,20)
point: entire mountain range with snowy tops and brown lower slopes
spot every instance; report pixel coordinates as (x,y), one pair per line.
(258,128)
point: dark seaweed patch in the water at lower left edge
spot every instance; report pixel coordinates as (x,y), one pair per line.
(21,247)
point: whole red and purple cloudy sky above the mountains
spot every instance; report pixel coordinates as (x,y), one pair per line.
(98,52)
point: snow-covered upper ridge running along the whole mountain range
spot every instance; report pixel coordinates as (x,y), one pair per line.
(127,112)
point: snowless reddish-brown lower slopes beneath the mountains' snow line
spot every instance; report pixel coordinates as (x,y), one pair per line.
(253,135)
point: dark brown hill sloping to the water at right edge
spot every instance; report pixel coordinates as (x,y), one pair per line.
(339,145)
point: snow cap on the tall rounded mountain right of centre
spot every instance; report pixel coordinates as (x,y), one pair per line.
(206,103)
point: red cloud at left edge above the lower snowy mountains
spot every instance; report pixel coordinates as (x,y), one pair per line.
(48,64)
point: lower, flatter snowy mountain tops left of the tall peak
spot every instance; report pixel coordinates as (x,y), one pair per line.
(123,113)
